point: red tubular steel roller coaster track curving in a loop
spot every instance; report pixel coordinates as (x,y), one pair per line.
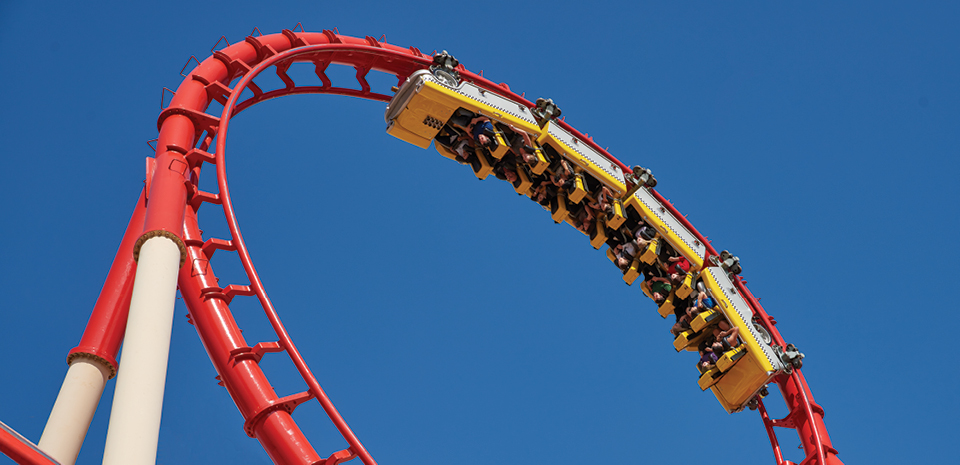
(187,131)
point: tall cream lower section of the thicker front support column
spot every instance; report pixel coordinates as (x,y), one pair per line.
(138,401)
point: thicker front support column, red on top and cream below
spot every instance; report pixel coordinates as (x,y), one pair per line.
(134,429)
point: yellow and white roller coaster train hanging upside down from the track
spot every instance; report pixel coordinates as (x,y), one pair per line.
(424,104)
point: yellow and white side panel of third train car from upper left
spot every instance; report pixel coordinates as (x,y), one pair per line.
(656,215)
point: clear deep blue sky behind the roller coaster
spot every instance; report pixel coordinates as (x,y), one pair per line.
(448,319)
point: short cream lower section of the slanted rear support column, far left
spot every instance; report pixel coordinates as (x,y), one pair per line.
(72,413)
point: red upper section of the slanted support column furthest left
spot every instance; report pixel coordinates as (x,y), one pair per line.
(104,332)
